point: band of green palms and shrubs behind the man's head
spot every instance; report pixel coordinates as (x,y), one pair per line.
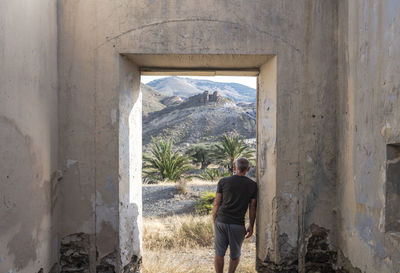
(164,162)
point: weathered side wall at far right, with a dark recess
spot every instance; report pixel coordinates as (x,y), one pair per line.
(368,119)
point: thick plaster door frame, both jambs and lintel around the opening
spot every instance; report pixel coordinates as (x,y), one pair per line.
(131,68)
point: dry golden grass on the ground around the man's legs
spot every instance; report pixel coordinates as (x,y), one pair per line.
(184,244)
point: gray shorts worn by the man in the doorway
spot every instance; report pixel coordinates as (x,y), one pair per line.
(228,234)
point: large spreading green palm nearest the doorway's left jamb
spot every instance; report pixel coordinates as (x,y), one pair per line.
(163,163)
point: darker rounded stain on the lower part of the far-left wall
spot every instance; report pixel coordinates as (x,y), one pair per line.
(25,210)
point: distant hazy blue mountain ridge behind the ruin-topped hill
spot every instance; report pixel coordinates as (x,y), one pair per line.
(186,87)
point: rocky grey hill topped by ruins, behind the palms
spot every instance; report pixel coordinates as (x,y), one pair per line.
(200,118)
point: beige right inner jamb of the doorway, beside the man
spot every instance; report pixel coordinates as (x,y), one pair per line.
(266,159)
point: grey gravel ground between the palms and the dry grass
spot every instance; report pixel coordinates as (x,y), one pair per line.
(164,200)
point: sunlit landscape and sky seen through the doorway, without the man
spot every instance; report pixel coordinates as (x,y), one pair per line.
(202,124)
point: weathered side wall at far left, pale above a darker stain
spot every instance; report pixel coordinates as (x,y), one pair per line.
(28,135)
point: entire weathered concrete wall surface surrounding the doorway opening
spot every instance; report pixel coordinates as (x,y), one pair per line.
(328,106)
